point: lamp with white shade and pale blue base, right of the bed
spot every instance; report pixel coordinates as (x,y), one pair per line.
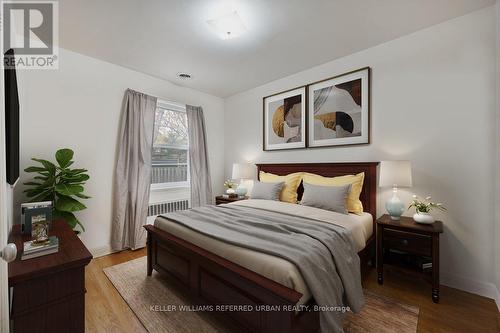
(395,174)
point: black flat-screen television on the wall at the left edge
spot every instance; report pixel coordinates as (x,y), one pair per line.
(11,120)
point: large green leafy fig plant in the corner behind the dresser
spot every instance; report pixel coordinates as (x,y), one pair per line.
(58,183)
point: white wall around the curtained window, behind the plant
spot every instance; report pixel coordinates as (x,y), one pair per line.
(78,106)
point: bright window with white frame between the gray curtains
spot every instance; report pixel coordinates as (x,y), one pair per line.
(170,147)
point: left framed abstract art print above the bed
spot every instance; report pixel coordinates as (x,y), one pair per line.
(285,120)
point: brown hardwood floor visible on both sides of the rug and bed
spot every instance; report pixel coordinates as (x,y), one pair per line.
(457,311)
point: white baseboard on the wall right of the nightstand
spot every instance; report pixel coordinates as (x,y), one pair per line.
(485,289)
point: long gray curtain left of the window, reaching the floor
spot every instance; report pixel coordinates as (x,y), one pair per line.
(133,171)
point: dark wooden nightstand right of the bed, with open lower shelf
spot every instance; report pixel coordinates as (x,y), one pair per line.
(407,238)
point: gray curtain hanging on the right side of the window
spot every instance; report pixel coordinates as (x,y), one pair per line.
(201,184)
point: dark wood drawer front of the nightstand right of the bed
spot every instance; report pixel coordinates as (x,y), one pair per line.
(406,241)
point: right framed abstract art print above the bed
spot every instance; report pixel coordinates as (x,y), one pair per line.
(339,110)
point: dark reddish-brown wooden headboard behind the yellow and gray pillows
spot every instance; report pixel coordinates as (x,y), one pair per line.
(369,193)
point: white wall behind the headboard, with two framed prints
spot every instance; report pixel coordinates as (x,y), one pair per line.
(433,99)
